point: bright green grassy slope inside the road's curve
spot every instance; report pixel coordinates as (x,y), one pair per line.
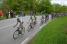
(54,33)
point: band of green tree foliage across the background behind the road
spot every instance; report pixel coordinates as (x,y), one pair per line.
(33,5)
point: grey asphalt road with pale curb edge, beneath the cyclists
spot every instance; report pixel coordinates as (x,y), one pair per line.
(7,30)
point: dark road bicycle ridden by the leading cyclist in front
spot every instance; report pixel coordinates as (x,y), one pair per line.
(18,32)
